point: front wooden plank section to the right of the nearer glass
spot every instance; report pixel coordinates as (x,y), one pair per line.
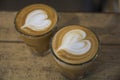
(107,65)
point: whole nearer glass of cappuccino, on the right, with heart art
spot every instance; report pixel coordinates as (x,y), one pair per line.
(74,47)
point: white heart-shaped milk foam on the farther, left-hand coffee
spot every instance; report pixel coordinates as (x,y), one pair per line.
(37,20)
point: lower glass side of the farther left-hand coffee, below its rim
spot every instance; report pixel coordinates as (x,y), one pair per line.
(38,45)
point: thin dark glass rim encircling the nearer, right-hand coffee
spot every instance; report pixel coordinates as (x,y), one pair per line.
(92,59)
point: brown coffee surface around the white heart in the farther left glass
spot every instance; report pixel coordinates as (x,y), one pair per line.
(21,17)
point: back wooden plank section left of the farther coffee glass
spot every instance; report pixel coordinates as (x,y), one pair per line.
(7,30)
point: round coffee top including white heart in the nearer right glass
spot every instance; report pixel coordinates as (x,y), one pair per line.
(75,44)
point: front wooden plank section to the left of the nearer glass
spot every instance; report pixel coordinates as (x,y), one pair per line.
(17,62)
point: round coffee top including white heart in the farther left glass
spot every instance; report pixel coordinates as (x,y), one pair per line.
(36,19)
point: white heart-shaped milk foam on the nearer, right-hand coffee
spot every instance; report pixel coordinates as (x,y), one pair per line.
(74,42)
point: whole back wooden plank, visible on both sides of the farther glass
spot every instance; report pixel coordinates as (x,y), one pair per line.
(106,26)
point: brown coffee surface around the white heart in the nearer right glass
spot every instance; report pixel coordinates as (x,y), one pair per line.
(71,58)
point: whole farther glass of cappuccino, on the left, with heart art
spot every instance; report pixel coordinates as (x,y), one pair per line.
(36,24)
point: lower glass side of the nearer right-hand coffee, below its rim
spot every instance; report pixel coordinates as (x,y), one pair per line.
(73,72)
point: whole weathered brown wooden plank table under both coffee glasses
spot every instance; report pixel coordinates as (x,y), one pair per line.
(17,62)
